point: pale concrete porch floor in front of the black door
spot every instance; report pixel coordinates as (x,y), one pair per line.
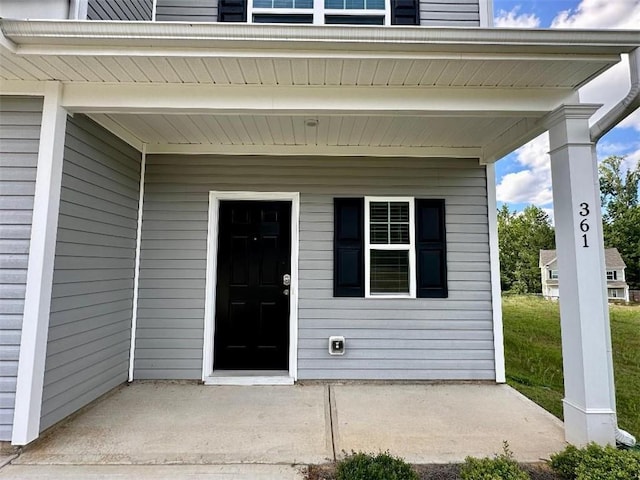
(182,430)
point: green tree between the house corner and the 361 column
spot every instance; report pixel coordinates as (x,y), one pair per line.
(521,236)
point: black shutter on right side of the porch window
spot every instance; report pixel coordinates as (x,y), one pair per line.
(431,249)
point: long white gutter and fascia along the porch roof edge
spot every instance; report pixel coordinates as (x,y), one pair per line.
(310,37)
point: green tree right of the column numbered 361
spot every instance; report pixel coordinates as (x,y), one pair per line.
(621,213)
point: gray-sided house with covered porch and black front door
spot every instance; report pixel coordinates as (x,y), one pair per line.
(192,192)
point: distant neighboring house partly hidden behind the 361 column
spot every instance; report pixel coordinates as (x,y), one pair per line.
(617,288)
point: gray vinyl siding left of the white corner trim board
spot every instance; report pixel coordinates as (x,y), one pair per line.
(20,120)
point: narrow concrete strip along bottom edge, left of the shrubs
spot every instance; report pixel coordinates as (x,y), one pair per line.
(155,472)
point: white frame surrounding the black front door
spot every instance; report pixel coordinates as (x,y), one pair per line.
(210,290)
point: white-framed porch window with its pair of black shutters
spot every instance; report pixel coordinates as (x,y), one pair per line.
(390,247)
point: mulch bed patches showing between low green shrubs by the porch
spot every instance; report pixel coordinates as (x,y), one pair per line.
(449,471)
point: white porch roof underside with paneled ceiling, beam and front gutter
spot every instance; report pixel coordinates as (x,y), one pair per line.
(251,88)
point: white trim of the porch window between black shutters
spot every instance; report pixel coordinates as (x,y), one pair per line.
(411,247)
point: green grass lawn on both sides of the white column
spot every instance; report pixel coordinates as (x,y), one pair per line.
(534,356)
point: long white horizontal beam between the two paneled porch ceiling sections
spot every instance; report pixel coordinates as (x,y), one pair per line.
(309,100)
